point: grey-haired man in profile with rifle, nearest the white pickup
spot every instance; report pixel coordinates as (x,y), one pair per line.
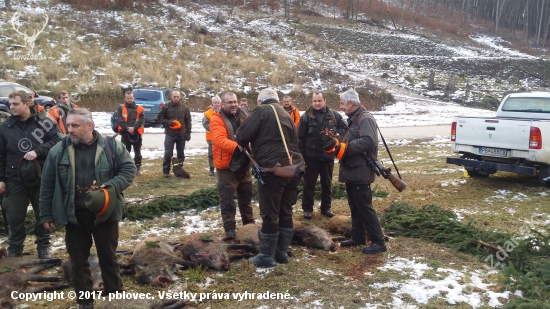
(361,137)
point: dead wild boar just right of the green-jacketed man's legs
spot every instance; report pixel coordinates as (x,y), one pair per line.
(154,261)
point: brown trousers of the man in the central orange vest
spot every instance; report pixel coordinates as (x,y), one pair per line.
(228,183)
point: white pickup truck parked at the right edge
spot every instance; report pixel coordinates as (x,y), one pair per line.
(516,140)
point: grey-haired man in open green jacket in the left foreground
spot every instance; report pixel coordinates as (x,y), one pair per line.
(83,178)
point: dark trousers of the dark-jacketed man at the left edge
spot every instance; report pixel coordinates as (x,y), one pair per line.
(16,201)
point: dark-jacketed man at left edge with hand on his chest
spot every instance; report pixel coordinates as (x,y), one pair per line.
(25,140)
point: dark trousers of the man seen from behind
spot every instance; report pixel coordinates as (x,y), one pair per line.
(277,197)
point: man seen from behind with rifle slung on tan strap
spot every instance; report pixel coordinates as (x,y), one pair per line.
(273,138)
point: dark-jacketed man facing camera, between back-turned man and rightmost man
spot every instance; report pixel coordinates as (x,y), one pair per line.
(317,118)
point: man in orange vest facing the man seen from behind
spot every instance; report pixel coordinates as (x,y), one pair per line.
(223,126)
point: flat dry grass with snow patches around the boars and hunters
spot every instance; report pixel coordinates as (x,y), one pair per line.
(346,278)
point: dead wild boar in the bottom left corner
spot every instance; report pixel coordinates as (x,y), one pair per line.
(17,273)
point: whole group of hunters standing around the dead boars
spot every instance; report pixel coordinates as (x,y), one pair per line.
(73,176)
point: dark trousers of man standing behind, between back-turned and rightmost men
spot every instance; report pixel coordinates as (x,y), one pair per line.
(313,170)
